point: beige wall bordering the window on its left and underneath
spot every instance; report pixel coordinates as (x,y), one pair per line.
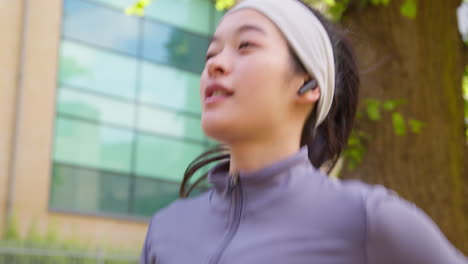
(35,129)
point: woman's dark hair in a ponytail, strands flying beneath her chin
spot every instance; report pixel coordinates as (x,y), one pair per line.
(327,141)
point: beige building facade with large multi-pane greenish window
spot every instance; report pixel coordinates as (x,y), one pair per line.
(100,112)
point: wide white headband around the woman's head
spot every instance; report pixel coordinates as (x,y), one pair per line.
(308,38)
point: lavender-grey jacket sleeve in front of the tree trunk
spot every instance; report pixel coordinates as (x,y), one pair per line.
(400,232)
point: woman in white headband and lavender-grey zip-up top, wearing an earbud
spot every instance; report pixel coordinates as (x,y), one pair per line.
(279,90)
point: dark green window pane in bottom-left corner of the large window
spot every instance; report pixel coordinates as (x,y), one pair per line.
(87,190)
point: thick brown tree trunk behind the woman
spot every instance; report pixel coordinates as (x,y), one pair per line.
(419,60)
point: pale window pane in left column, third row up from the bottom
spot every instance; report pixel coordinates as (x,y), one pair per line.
(94,107)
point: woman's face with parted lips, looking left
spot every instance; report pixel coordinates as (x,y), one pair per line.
(248,87)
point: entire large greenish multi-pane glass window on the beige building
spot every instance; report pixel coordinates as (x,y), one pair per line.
(128,105)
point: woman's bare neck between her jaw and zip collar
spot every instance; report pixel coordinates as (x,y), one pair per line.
(252,156)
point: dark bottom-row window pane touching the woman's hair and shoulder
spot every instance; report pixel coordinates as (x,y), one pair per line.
(152,195)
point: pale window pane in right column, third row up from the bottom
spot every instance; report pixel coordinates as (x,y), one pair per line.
(169,123)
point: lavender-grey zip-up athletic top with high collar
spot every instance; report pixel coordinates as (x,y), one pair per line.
(290,212)
